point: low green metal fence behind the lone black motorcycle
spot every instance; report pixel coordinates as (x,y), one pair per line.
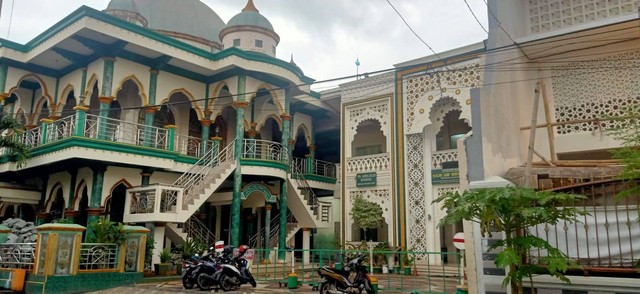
(414,272)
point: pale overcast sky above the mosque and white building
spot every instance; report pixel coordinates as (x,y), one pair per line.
(324,36)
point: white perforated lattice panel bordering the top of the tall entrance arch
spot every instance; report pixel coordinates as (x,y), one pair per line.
(455,77)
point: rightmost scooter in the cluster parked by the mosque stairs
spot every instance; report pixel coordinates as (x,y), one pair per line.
(237,273)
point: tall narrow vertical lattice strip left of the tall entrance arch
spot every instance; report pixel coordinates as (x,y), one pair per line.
(417,216)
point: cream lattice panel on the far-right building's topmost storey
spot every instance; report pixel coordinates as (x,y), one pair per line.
(549,15)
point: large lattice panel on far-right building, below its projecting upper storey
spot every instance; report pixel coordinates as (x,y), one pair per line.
(595,89)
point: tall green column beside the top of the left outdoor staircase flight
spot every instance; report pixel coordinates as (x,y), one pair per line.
(237,176)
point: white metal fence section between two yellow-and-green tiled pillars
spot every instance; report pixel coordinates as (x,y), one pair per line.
(98,256)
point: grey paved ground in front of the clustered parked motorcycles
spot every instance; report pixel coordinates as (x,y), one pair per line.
(175,287)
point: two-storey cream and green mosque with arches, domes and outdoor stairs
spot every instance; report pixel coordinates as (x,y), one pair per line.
(160,113)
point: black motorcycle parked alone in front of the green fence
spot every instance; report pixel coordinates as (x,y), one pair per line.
(337,281)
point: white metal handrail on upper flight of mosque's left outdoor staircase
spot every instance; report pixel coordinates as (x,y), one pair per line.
(200,171)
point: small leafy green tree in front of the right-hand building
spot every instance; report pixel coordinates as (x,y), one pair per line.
(514,210)
